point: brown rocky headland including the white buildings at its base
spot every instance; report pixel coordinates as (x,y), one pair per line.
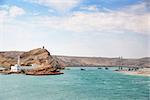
(34,62)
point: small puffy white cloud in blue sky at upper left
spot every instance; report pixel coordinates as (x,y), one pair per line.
(16,11)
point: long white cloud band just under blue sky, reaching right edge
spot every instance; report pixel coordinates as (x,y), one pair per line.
(97,22)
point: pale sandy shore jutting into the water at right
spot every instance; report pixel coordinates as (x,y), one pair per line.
(141,72)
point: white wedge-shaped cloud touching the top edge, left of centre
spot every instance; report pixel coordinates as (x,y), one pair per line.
(59,5)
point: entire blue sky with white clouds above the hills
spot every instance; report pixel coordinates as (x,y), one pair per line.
(95,28)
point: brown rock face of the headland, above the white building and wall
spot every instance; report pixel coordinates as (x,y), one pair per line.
(39,56)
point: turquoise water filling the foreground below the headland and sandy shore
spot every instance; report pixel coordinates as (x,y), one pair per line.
(91,84)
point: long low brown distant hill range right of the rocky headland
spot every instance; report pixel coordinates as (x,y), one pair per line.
(102,61)
